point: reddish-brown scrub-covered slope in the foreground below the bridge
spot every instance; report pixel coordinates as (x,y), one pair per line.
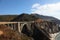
(8,34)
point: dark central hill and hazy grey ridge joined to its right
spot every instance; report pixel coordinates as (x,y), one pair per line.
(32,17)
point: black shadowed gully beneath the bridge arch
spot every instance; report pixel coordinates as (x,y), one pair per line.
(37,34)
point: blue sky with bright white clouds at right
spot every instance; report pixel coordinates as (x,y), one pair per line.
(41,7)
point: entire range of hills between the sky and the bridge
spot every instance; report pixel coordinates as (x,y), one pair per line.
(28,17)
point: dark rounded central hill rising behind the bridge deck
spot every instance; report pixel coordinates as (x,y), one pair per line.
(25,17)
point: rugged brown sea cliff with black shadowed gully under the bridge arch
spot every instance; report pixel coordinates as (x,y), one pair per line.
(40,29)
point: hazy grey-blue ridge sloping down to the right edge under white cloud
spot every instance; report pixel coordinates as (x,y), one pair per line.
(47,18)
